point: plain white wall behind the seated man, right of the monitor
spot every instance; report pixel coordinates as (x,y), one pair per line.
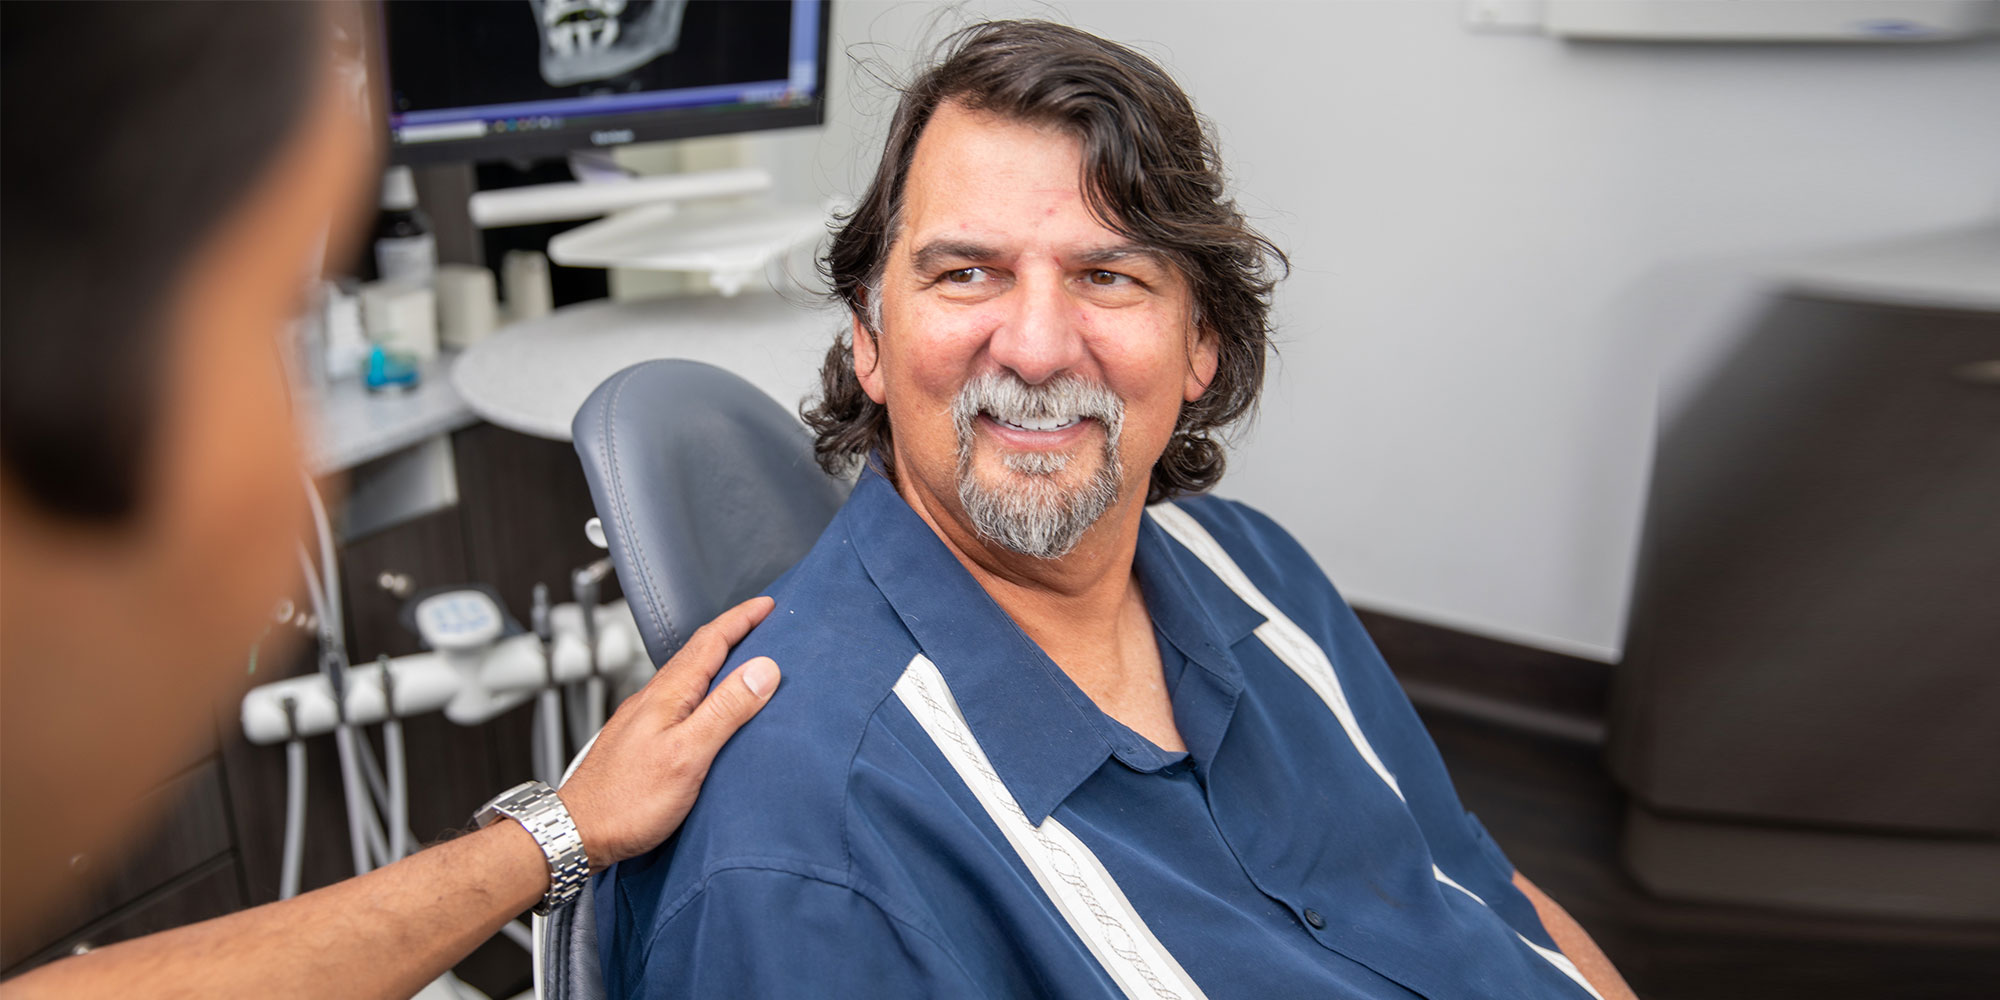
(1495,243)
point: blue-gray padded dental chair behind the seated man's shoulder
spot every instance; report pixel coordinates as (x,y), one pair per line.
(707,491)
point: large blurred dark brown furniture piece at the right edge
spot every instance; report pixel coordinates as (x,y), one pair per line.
(1809,709)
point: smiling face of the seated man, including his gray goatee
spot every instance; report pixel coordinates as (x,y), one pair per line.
(1031,359)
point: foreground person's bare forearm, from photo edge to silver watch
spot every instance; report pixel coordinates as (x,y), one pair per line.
(383,935)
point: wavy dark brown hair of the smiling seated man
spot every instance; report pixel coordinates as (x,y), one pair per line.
(1151,175)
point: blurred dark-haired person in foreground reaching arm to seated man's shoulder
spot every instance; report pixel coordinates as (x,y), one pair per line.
(173,173)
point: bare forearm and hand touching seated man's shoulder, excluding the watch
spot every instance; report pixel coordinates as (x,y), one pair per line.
(397,929)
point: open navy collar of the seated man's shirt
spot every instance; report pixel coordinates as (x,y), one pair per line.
(1041,733)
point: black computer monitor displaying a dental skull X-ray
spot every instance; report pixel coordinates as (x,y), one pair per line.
(531,79)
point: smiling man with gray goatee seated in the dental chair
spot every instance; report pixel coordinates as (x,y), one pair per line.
(1057,723)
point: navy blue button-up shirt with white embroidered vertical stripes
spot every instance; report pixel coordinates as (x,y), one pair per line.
(933,809)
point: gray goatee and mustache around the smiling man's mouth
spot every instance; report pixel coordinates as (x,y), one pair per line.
(1033,513)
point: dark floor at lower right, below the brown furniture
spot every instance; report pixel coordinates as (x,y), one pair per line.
(1555,811)
